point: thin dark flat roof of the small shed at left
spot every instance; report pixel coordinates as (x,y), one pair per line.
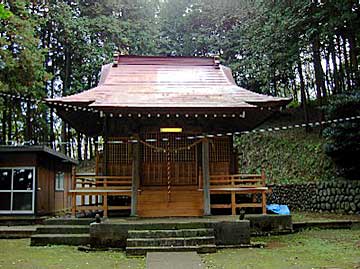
(37,149)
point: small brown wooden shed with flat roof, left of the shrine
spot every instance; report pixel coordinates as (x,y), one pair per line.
(34,180)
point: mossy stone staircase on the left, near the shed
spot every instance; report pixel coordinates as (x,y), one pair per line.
(55,231)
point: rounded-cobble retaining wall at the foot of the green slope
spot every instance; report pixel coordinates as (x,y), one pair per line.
(334,196)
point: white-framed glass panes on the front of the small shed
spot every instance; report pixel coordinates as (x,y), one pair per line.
(17,190)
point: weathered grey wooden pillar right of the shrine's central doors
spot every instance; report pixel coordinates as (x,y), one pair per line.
(206,176)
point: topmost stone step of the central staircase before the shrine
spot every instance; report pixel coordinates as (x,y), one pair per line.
(169,233)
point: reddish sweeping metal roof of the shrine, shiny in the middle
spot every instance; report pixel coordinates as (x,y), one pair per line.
(143,82)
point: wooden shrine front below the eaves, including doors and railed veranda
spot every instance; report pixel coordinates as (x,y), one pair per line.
(177,180)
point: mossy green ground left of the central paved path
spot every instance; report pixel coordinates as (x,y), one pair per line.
(18,254)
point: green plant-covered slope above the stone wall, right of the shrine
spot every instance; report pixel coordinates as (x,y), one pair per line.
(288,157)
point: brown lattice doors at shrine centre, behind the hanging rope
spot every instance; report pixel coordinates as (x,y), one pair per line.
(171,151)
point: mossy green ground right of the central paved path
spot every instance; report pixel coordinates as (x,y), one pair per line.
(305,250)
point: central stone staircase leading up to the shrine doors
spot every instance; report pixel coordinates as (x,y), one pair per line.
(201,240)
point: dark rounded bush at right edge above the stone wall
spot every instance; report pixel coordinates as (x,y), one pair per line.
(343,140)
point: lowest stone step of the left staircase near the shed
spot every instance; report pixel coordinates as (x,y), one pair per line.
(60,239)
